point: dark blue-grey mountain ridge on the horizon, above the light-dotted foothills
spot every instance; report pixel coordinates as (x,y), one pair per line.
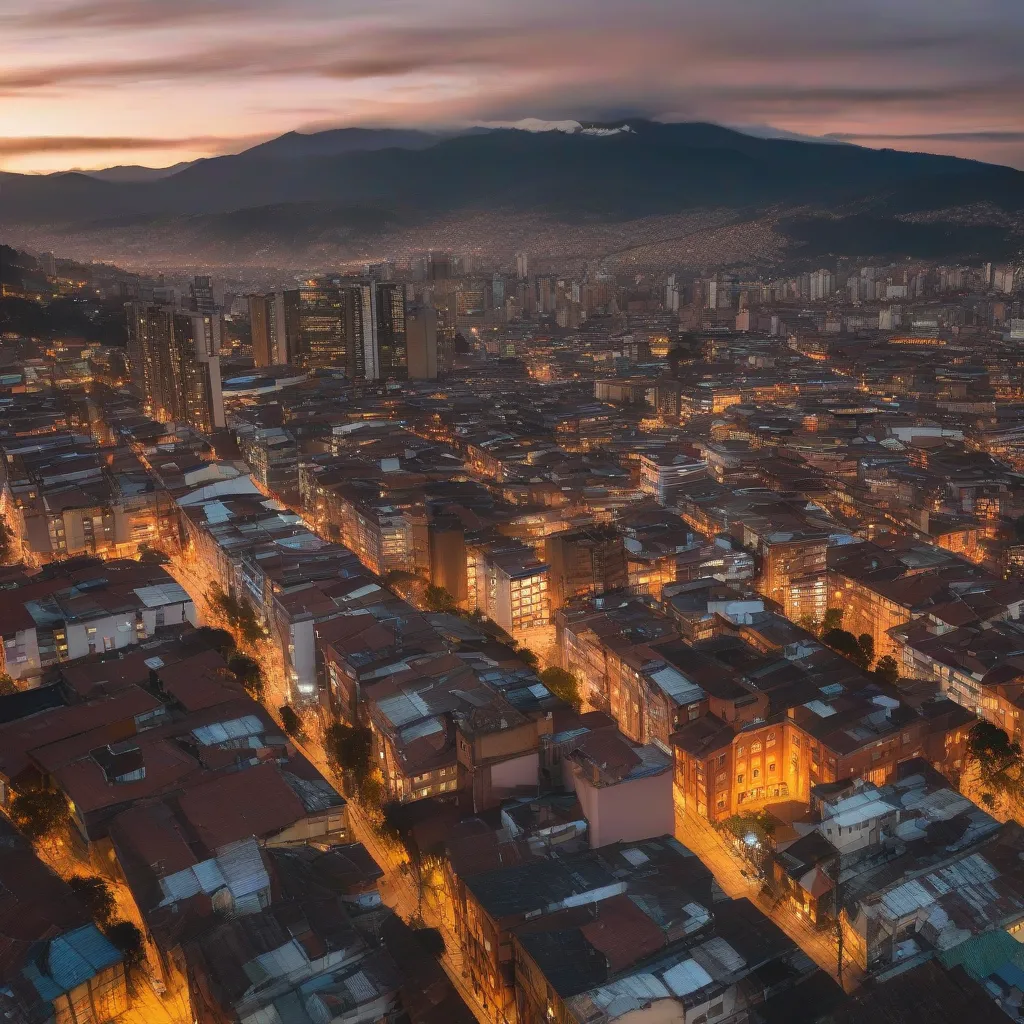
(386,177)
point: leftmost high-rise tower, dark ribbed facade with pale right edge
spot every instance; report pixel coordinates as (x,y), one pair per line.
(176,364)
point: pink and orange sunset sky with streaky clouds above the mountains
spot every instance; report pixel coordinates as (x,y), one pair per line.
(93,83)
